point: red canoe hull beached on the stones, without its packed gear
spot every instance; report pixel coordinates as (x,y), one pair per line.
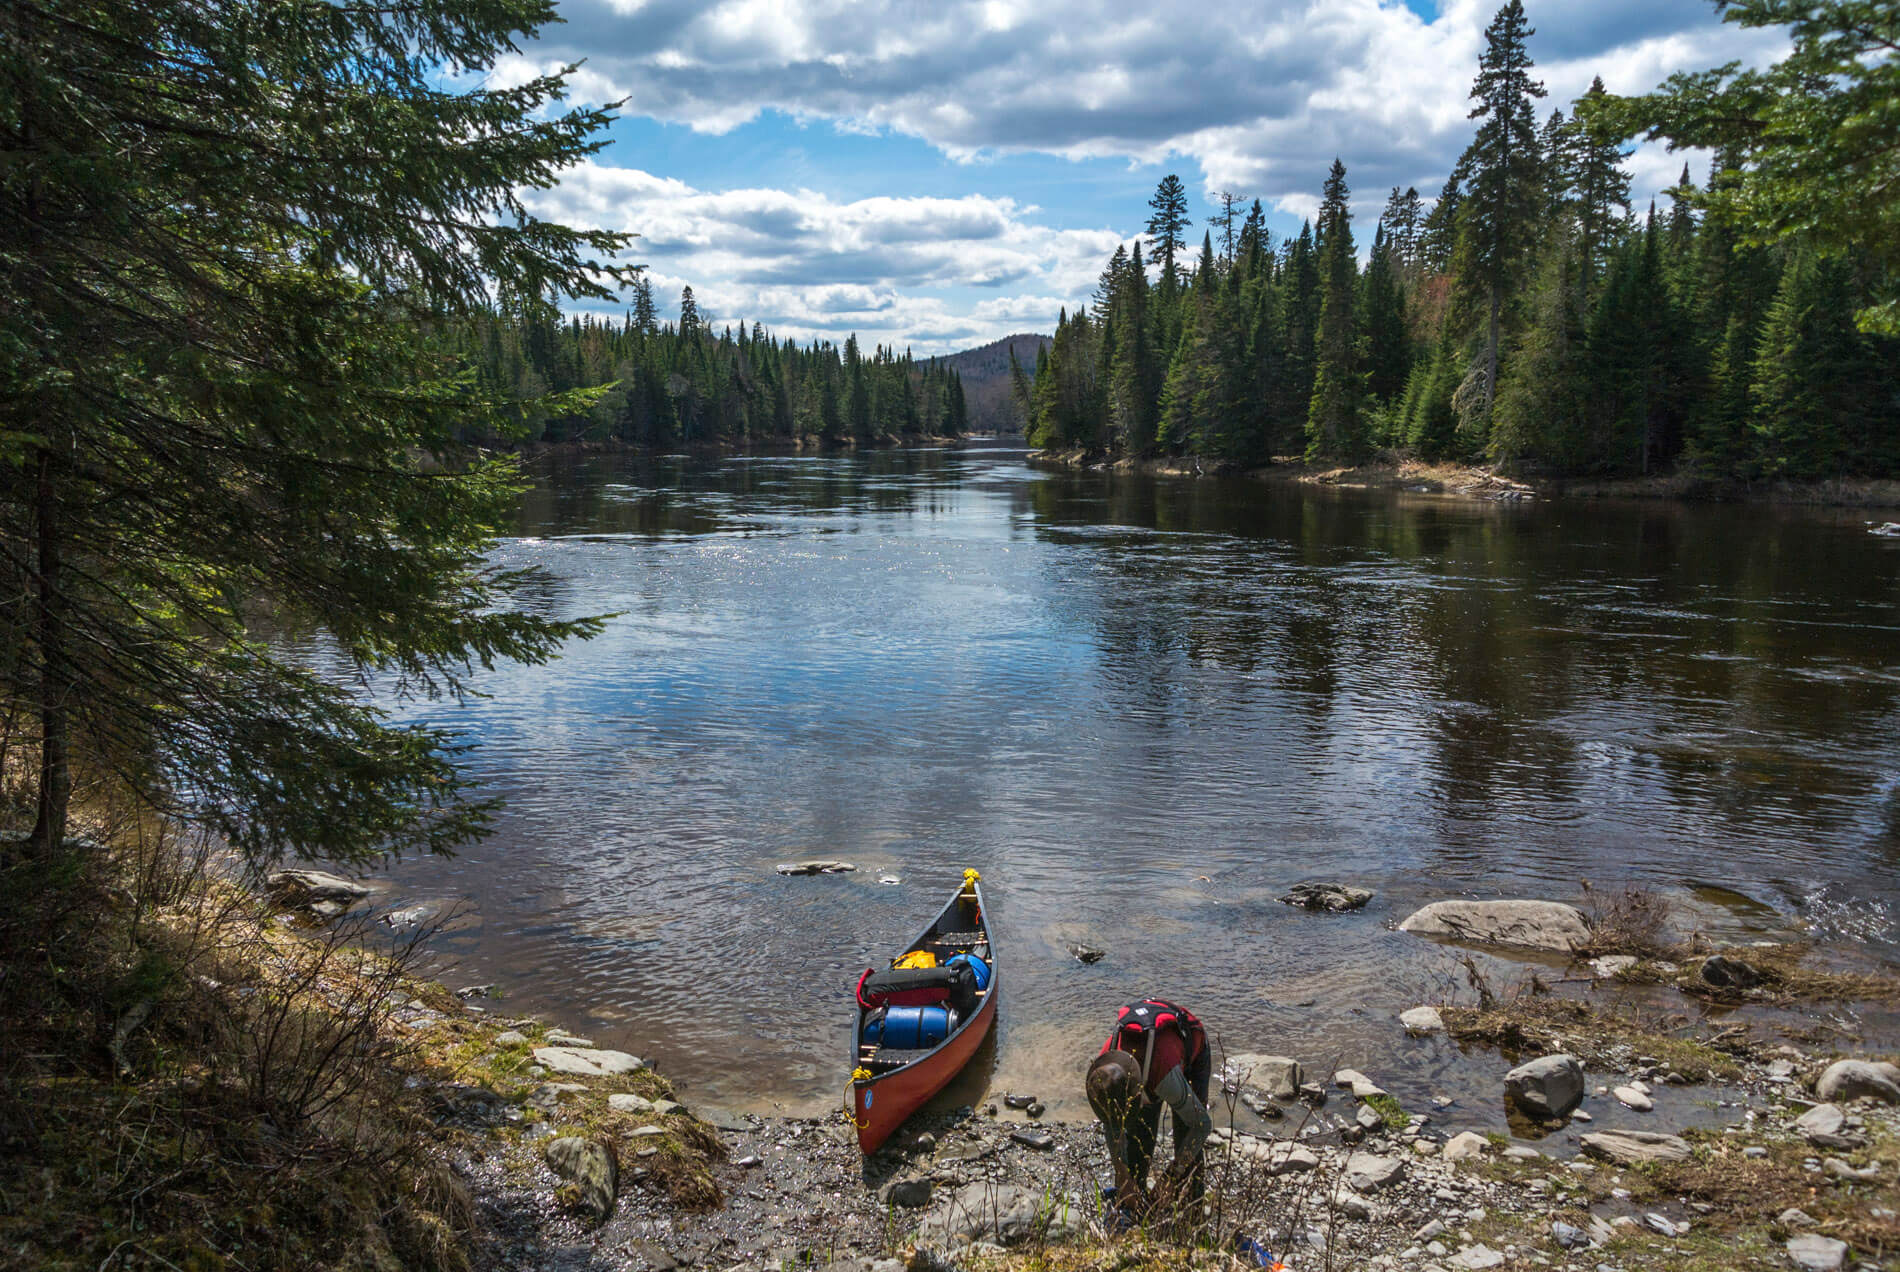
(888,1087)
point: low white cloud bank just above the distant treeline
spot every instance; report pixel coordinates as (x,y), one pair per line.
(896,271)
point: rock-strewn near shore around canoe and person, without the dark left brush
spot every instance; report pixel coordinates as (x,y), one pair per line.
(584,1159)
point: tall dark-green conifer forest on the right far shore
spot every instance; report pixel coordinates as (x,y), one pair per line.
(1529,317)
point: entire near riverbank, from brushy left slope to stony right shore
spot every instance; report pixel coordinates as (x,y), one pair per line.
(229,1081)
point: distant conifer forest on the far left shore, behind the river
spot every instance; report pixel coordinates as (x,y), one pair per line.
(655,385)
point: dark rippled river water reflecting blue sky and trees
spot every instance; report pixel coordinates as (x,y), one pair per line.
(1143,708)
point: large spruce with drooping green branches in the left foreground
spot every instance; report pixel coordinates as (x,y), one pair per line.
(237,241)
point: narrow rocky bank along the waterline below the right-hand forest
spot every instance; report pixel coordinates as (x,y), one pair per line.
(1477,482)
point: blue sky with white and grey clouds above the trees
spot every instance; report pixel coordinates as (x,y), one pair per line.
(938,174)
